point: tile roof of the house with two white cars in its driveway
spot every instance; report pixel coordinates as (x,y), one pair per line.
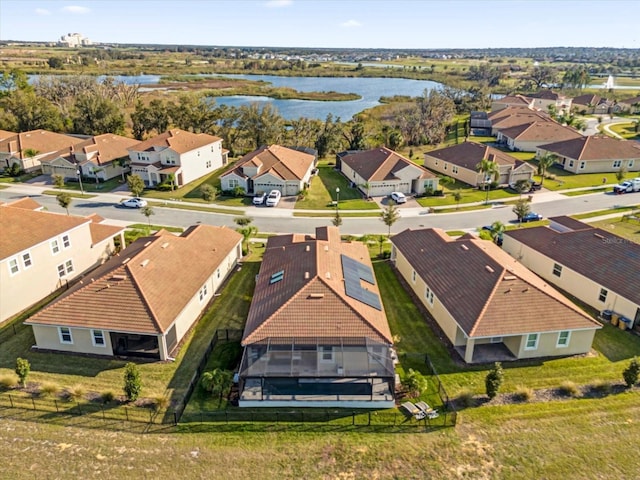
(282,162)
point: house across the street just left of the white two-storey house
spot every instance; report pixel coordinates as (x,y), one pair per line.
(96,158)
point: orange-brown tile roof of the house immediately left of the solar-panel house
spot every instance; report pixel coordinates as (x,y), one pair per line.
(146,286)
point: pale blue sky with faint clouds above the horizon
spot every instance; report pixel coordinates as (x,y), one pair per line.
(400,24)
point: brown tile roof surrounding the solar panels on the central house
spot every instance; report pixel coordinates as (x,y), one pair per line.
(310,300)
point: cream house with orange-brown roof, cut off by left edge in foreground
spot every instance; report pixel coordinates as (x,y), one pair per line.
(41,252)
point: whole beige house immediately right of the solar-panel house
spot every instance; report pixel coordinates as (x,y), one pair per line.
(489,306)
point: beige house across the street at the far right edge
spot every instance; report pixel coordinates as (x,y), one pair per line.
(594,154)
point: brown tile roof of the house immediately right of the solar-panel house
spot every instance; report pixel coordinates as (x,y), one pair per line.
(486,291)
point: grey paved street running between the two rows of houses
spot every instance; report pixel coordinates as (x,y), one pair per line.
(278,220)
